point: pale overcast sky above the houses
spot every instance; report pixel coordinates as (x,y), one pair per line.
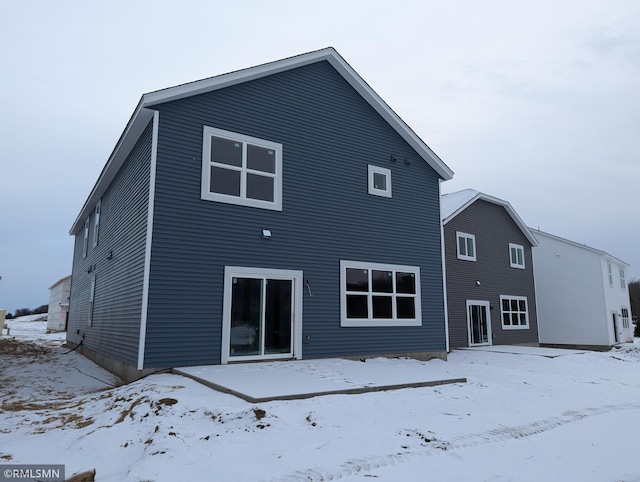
(535,102)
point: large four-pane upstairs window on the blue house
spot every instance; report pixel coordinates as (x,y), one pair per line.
(239,169)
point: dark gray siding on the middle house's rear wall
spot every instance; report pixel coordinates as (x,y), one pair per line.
(493,229)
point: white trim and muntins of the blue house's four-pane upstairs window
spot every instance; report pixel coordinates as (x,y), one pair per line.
(206,194)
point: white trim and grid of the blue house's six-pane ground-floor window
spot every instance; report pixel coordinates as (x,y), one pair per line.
(347,322)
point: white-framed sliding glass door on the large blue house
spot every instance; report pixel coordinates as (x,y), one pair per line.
(262,314)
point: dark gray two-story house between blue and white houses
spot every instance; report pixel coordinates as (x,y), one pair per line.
(491,297)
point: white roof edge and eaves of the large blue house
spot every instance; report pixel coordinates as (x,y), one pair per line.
(144,112)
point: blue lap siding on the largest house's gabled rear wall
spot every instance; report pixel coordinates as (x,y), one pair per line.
(329,136)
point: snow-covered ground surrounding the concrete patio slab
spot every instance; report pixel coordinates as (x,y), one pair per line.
(518,418)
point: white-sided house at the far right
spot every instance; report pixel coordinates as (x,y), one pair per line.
(583,298)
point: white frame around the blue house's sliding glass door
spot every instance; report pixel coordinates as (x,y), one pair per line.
(231,272)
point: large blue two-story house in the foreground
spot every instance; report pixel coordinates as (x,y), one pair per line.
(282,211)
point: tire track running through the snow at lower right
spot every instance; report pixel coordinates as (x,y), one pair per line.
(435,446)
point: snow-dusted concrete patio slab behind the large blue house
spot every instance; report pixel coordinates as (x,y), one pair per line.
(290,380)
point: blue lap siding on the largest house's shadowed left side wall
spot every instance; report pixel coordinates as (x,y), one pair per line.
(115,331)
